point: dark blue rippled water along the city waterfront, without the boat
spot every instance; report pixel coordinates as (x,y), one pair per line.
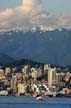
(29,102)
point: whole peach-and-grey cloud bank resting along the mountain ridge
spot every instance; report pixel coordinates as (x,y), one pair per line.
(29,14)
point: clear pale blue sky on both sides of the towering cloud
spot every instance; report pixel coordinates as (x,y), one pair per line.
(53,6)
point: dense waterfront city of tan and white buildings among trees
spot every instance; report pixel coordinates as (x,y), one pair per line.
(35,80)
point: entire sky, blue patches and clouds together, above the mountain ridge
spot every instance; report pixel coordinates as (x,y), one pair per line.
(25,14)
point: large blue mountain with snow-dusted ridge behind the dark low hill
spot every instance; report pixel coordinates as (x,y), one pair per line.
(46,46)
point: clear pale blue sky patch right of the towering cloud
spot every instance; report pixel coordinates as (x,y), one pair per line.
(59,6)
